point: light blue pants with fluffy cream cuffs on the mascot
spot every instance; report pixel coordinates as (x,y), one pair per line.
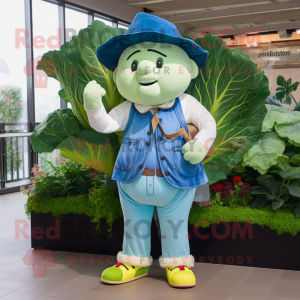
(138,200)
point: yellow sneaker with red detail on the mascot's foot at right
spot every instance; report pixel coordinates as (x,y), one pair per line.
(181,277)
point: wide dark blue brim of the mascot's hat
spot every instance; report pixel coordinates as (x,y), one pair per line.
(109,53)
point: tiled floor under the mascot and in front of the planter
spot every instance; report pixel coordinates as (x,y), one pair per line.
(80,280)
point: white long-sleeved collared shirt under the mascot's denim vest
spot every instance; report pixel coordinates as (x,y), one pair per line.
(194,113)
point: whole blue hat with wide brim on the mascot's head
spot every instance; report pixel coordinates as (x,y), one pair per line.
(148,28)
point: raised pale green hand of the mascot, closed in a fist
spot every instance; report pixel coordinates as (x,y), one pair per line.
(92,95)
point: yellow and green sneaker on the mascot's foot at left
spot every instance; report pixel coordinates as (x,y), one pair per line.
(122,273)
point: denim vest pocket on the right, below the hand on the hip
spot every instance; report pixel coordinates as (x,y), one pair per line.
(184,168)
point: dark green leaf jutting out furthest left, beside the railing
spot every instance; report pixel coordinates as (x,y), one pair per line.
(55,128)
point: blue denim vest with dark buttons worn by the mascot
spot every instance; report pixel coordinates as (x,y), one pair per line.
(138,138)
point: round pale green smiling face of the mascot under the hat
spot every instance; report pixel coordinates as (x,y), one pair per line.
(154,73)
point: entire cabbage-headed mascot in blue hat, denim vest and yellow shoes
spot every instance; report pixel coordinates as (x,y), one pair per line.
(159,162)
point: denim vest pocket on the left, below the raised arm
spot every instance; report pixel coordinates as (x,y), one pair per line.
(127,153)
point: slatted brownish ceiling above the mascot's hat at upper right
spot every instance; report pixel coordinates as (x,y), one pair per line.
(224,16)
